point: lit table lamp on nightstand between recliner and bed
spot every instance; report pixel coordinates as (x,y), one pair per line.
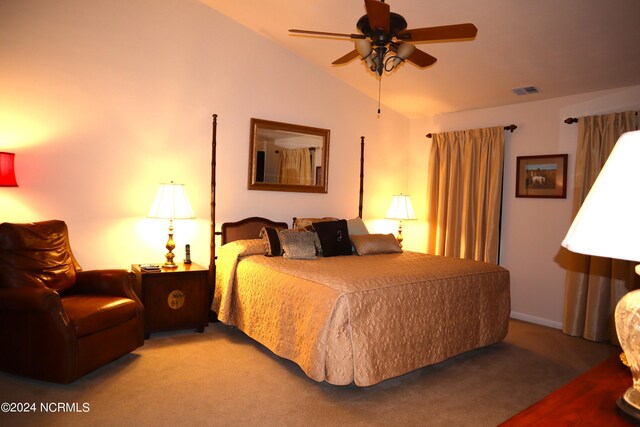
(171,203)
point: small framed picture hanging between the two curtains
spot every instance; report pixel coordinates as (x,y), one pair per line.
(543,176)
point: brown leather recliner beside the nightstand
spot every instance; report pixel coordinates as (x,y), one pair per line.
(57,322)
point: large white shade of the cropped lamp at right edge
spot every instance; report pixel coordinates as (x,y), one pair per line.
(608,222)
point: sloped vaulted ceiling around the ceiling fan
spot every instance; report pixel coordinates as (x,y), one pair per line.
(562,47)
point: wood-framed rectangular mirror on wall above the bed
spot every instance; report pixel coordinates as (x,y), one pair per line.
(286,157)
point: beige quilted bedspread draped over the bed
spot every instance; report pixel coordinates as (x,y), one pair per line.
(362,319)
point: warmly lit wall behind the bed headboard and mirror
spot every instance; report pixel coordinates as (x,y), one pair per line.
(102,100)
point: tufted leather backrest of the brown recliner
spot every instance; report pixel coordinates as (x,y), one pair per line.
(36,254)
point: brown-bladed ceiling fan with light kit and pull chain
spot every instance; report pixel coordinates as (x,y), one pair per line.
(385,42)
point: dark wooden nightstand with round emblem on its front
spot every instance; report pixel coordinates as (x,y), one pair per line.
(174,298)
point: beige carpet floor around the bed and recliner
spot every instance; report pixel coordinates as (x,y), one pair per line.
(222,378)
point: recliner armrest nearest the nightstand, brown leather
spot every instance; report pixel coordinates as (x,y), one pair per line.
(105,282)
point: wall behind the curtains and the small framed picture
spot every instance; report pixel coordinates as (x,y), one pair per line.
(532,229)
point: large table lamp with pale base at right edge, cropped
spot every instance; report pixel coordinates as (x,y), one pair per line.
(608,225)
